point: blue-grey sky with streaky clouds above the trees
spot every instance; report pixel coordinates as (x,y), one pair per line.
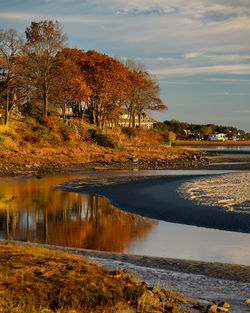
(199,50)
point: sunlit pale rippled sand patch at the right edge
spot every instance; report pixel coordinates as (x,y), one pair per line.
(230,191)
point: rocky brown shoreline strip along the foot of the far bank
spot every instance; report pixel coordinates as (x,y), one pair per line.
(198,160)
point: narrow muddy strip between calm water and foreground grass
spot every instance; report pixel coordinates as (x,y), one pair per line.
(218,270)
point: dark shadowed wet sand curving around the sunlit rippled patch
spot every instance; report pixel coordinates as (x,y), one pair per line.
(157,197)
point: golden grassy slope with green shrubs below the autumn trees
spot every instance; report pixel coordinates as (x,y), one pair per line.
(33,146)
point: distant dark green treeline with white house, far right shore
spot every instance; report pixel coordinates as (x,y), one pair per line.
(184,129)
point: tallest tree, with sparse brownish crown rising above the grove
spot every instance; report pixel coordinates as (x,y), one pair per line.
(43,42)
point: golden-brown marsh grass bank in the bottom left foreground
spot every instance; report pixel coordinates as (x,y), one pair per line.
(39,280)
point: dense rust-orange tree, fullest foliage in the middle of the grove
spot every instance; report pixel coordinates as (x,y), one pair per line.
(108,81)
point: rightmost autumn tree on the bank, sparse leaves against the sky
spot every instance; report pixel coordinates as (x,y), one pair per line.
(144,92)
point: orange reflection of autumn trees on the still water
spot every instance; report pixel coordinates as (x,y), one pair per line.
(31,210)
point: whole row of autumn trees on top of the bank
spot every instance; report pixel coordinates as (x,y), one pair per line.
(40,73)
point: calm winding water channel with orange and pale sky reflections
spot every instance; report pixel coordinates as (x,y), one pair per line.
(32,210)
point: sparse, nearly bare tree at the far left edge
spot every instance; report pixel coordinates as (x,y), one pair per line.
(10,47)
